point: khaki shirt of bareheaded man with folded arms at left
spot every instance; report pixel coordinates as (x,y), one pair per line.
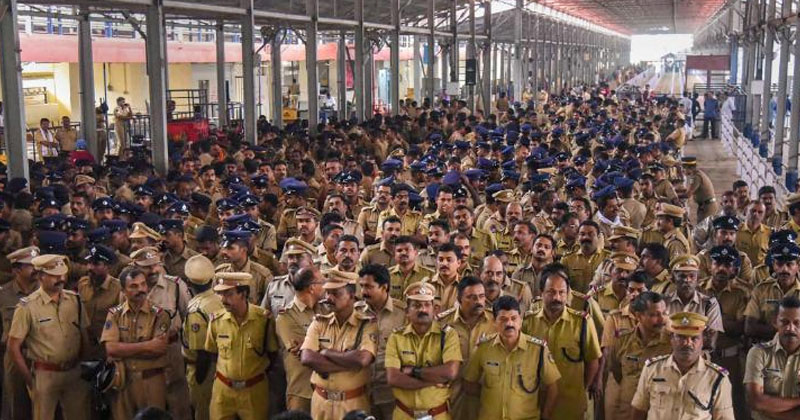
(126,325)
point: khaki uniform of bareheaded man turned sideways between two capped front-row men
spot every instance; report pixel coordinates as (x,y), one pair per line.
(291,325)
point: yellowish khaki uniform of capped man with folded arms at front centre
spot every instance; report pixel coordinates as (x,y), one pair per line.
(438,346)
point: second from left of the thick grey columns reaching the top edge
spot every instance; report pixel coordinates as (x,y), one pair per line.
(157,81)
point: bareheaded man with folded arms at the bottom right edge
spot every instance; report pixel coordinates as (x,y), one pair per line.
(771,374)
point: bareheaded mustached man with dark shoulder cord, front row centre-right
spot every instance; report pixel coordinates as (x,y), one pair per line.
(517,369)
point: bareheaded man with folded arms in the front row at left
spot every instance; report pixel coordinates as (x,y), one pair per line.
(136,335)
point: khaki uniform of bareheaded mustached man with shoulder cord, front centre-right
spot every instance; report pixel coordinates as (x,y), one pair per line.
(512,380)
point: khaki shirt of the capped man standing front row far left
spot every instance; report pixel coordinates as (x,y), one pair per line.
(51,330)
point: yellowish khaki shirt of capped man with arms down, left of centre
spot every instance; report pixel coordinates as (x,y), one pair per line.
(242,350)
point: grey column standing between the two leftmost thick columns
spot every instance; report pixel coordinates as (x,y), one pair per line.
(86,67)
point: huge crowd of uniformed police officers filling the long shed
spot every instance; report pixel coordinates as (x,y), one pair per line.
(559,259)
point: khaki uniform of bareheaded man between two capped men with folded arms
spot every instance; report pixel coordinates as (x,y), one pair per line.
(389,319)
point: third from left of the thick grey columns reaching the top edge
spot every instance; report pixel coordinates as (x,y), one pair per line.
(248,74)
